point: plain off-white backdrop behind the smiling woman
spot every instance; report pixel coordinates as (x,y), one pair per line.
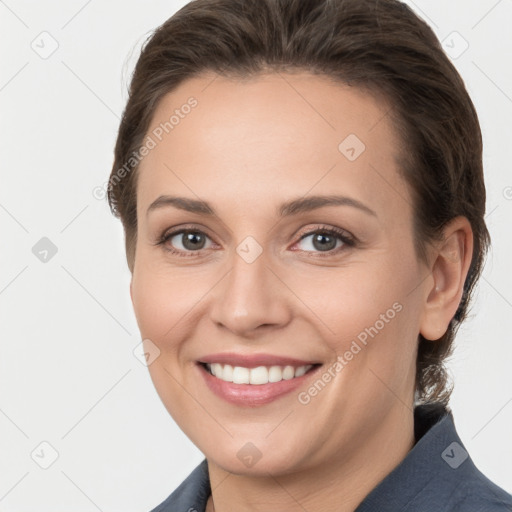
(68,375)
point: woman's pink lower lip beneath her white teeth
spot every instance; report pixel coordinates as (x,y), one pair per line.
(252,395)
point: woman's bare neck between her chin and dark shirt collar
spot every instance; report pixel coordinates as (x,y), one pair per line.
(340,483)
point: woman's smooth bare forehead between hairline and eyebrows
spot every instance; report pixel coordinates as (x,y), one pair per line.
(261,140)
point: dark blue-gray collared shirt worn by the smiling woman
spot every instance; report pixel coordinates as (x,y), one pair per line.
(436,475)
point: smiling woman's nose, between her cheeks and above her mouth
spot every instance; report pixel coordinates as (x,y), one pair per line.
(251,298)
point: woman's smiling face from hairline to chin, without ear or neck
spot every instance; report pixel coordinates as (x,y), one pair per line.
(299,254)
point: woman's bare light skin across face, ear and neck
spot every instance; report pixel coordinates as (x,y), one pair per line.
(246,148)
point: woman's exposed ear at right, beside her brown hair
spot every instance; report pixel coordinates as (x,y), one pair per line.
(450,262)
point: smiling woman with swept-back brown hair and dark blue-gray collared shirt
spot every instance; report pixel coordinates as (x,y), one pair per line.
(301,189)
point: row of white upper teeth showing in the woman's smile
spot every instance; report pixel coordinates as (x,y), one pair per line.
(256,376)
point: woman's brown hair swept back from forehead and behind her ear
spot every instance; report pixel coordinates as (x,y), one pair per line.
(381,46)
